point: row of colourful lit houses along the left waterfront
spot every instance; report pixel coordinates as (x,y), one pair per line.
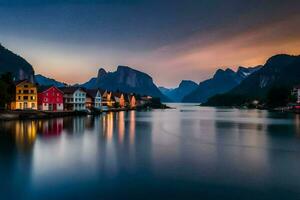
(61,101)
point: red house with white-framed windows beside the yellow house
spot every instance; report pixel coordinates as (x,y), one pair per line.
(50,99)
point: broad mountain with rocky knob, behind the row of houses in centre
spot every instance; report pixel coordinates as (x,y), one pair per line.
(127,80)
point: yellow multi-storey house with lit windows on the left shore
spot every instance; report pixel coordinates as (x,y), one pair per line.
(26,96)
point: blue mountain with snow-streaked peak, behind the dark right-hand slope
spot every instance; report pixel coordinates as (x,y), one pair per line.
(222,81)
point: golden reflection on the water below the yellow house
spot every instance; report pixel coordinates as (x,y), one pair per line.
(25,134)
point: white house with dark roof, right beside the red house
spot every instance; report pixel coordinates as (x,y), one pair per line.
(74,98)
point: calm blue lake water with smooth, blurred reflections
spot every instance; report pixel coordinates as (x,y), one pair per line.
(185,153)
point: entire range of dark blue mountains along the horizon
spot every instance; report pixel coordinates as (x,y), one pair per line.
(244,84)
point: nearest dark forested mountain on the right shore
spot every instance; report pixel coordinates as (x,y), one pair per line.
(280,71)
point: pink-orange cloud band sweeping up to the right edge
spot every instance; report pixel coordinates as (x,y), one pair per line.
(202,54)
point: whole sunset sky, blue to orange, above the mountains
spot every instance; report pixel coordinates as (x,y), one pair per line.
(171,40)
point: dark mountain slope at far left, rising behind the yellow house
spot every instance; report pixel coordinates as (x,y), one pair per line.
(18,66)
